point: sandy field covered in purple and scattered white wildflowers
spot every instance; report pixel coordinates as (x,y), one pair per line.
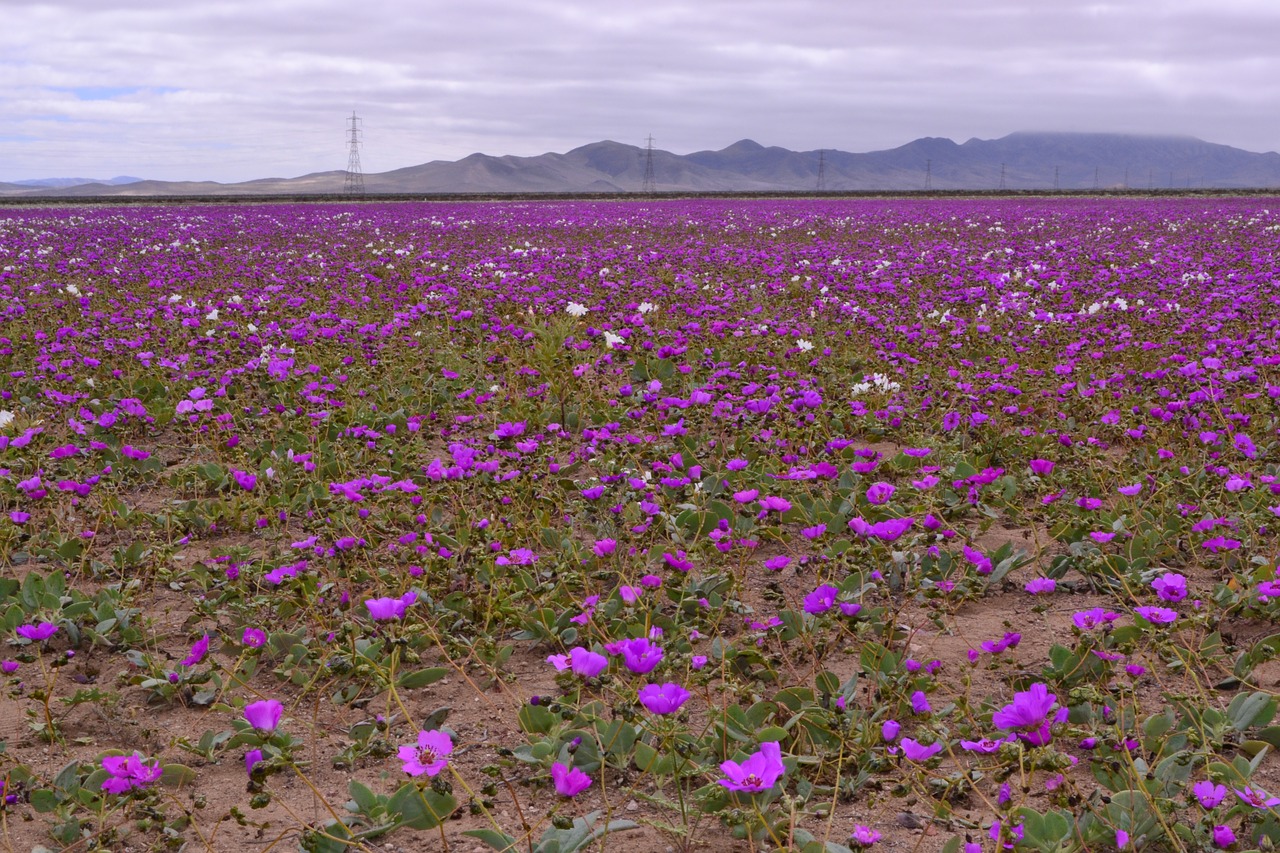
(815,526)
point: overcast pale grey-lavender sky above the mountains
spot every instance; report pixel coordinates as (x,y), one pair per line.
(234,90)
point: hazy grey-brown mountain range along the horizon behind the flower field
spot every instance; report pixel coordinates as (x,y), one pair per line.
(1017,162)
